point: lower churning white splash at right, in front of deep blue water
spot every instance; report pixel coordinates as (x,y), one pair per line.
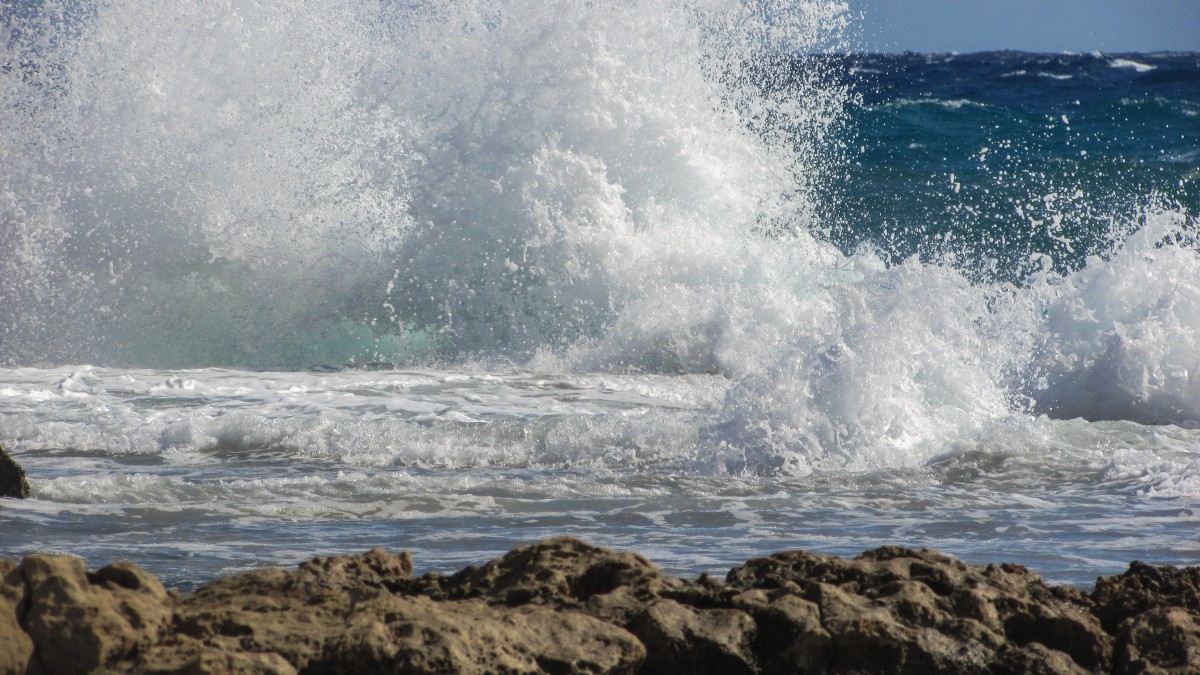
(917,362)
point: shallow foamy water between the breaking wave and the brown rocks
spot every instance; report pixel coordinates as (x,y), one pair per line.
(197,474)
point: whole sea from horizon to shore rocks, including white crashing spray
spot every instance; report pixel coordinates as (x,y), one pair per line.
(689,278)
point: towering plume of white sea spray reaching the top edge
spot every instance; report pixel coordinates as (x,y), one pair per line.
(255,186)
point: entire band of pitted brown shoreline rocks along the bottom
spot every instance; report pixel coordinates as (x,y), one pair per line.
(563,606)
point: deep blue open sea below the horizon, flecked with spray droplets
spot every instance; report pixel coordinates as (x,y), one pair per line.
(1015,156)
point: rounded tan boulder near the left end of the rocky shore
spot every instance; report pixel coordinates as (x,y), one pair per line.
(82,623)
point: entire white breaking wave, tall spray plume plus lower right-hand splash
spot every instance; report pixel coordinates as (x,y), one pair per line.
(574,187)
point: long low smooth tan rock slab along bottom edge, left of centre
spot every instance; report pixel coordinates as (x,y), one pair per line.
(400,635)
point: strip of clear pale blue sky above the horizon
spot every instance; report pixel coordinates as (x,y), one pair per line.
(1028,26)
